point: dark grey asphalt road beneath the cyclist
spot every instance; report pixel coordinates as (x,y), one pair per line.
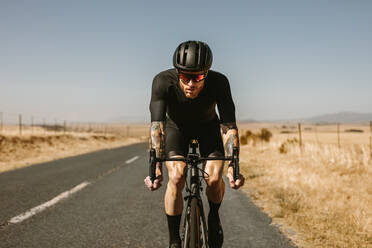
(114,210)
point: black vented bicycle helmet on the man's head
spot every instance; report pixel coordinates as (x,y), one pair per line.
(193,56)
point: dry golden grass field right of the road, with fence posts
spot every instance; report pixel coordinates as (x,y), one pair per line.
(320,195)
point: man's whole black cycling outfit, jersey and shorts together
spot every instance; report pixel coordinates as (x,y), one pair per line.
(187,119)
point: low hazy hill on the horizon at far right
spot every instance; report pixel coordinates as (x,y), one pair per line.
(342,117)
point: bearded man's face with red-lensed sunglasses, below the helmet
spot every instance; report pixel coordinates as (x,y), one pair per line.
(191,84)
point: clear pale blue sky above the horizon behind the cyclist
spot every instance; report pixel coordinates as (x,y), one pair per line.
(95,60)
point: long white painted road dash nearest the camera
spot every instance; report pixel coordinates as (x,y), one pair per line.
(47,204)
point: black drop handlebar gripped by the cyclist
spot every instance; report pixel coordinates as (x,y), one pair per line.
(194,159)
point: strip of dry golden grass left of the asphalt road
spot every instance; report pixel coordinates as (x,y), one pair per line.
(37,144)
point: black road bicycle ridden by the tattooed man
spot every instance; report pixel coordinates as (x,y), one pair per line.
(194,231)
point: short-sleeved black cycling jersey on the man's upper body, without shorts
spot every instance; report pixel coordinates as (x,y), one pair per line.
(168,99)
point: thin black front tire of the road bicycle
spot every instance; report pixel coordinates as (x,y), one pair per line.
(194,224)
